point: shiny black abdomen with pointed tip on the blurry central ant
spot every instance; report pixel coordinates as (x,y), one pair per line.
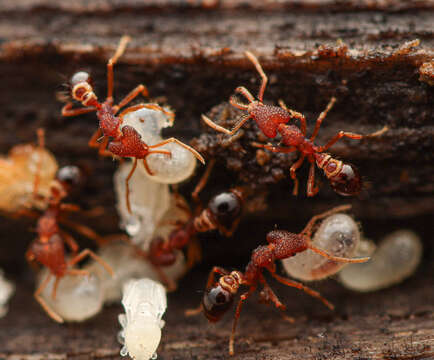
(226,208)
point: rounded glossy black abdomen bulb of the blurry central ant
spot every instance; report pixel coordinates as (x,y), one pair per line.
(226,207)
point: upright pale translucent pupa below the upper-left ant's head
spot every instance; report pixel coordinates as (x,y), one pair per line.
(149,201)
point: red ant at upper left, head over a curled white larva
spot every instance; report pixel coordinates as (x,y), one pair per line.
(127,141)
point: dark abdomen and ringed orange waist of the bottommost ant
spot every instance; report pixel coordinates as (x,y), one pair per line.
(218,299)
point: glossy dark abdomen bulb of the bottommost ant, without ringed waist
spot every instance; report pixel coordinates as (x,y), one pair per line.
(216,302)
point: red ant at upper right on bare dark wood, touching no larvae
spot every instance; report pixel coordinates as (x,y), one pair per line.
(344,177)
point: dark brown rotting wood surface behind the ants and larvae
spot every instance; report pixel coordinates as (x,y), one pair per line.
(190,55)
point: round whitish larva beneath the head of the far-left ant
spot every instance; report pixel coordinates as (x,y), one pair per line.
(77,298)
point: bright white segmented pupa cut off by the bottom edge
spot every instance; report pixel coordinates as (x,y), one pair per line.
(145,302)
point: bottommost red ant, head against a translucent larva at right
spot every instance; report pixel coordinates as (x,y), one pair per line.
(282,244)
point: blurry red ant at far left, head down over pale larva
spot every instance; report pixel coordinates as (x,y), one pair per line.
(48,248)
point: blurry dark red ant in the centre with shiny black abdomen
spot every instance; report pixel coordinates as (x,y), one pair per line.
(222,214)
